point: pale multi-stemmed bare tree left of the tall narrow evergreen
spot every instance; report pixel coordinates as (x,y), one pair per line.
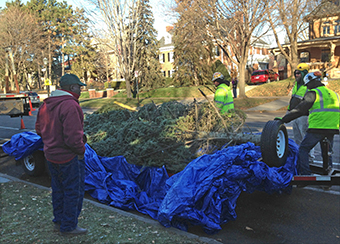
(121,24)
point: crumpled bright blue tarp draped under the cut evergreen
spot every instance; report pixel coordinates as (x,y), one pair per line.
(204,193)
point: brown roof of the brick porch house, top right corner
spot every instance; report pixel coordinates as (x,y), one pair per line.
(326,9)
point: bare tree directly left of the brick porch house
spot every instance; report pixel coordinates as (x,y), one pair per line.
(288,16)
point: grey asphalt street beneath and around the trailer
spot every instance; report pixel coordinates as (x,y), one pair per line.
(306,215)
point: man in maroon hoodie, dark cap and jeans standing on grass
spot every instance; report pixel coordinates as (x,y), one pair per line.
(60,125)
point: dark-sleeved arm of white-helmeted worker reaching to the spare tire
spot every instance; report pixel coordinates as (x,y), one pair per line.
(301,109)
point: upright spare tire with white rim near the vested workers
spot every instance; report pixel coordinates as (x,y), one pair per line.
(274,143)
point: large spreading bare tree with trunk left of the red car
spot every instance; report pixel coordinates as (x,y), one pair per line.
(239,24)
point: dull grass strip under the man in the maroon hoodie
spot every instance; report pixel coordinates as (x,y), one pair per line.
(26,215)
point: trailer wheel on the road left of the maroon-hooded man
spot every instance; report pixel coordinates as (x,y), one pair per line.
(34,164)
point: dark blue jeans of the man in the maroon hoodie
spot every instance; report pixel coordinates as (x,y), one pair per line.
(67,181)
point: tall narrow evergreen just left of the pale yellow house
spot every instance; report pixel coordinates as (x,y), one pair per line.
(147,65)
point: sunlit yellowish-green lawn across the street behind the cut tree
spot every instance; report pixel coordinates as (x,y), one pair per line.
(256,96)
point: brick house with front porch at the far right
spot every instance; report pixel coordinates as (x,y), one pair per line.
(322,49)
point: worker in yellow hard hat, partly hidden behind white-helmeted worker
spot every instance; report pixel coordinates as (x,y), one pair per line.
(300,125)
